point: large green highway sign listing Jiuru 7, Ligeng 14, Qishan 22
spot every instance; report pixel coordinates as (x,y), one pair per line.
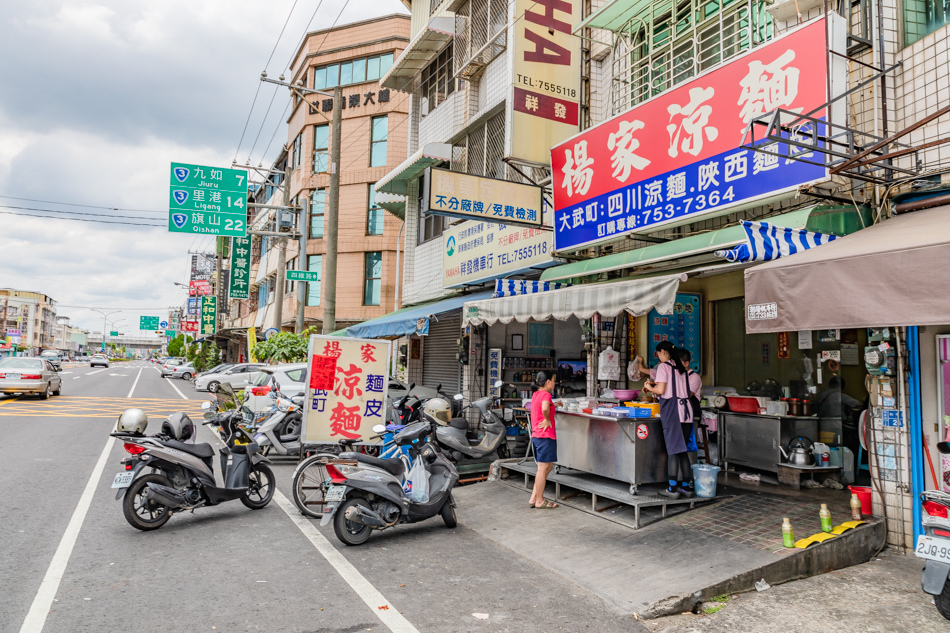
(207,200)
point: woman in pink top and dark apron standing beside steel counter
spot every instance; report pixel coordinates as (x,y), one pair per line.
(676,416)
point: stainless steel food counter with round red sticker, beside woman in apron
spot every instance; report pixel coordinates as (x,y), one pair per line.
(612,447)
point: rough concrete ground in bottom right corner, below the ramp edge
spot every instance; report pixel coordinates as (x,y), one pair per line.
(881,595)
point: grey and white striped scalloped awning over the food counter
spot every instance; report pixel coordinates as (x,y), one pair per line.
(607,299)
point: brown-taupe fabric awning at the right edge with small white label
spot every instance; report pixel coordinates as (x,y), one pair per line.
(890,274)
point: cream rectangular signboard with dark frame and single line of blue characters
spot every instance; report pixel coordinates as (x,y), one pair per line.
(462,195)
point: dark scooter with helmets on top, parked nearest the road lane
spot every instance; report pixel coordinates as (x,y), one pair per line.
(180,474)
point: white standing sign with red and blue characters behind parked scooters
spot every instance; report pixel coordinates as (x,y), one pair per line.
(346,388)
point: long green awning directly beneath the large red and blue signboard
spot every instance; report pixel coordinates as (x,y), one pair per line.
(824,219)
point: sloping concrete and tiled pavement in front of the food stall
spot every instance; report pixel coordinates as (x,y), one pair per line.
(672,565)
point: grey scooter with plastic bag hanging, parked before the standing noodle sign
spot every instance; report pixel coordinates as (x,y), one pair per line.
(366,493)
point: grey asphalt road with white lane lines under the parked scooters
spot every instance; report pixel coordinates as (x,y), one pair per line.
(228,568)
